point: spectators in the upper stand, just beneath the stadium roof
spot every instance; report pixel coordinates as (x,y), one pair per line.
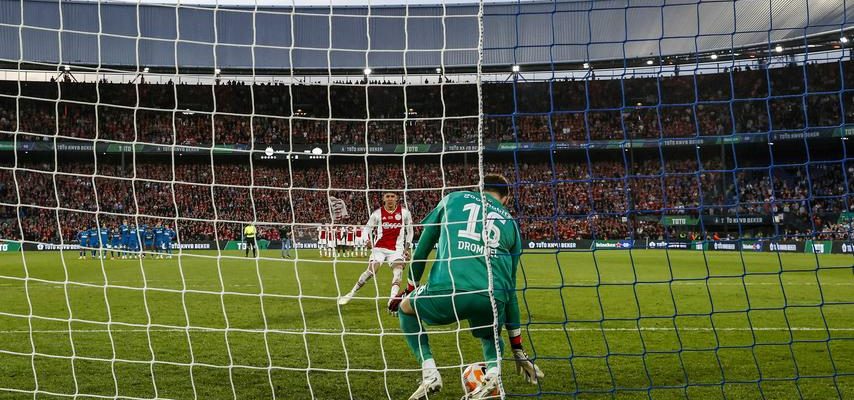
(740,101)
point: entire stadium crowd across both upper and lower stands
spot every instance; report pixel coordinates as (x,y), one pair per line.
(563,199)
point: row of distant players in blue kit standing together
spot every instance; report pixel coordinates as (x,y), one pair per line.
(126,241)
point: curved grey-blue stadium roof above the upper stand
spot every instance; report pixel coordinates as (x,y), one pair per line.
(388,36)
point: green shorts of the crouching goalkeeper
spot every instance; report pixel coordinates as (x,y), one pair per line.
(444,307)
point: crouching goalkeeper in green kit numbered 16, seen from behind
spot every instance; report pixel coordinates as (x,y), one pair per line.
(458,285)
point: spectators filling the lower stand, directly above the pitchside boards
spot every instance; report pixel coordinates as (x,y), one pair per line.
(561,200)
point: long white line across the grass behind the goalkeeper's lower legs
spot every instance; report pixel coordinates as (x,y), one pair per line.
(368,330)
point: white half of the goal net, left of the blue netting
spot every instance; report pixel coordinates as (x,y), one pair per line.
(153,144)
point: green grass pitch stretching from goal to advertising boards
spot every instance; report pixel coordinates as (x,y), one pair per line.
(603,324)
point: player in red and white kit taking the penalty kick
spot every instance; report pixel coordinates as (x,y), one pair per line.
(390,228)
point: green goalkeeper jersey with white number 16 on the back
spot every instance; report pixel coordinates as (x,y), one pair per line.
(457,226)
